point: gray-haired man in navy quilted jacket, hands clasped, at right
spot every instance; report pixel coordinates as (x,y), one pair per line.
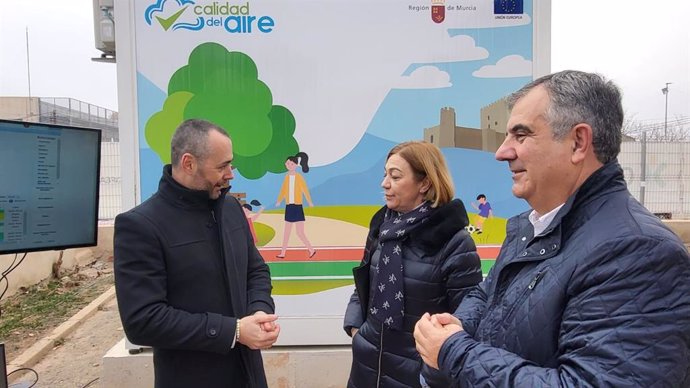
(590,289)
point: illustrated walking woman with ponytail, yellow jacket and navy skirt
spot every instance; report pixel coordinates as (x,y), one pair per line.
(293,188)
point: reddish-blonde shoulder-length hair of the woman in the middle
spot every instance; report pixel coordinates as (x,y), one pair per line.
(427,161)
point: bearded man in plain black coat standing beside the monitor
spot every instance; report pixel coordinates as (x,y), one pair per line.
(190,283)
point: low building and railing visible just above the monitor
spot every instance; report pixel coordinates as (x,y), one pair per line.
(65,111)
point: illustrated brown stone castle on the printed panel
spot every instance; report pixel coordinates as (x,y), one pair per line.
(494,118)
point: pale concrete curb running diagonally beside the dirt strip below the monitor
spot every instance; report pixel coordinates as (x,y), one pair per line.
(36,352)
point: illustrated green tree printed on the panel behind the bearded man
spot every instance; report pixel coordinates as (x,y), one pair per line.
(224,88)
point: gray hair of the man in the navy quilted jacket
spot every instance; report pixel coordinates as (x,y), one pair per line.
(578,97)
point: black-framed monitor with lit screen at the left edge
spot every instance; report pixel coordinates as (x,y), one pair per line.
(49,179)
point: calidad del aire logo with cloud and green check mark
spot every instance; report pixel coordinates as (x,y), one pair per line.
(190,15)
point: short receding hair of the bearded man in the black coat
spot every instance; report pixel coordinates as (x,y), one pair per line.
(191,137)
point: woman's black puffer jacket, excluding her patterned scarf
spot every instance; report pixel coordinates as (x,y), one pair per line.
(441,265)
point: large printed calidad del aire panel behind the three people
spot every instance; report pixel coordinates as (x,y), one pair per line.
(337,83)
